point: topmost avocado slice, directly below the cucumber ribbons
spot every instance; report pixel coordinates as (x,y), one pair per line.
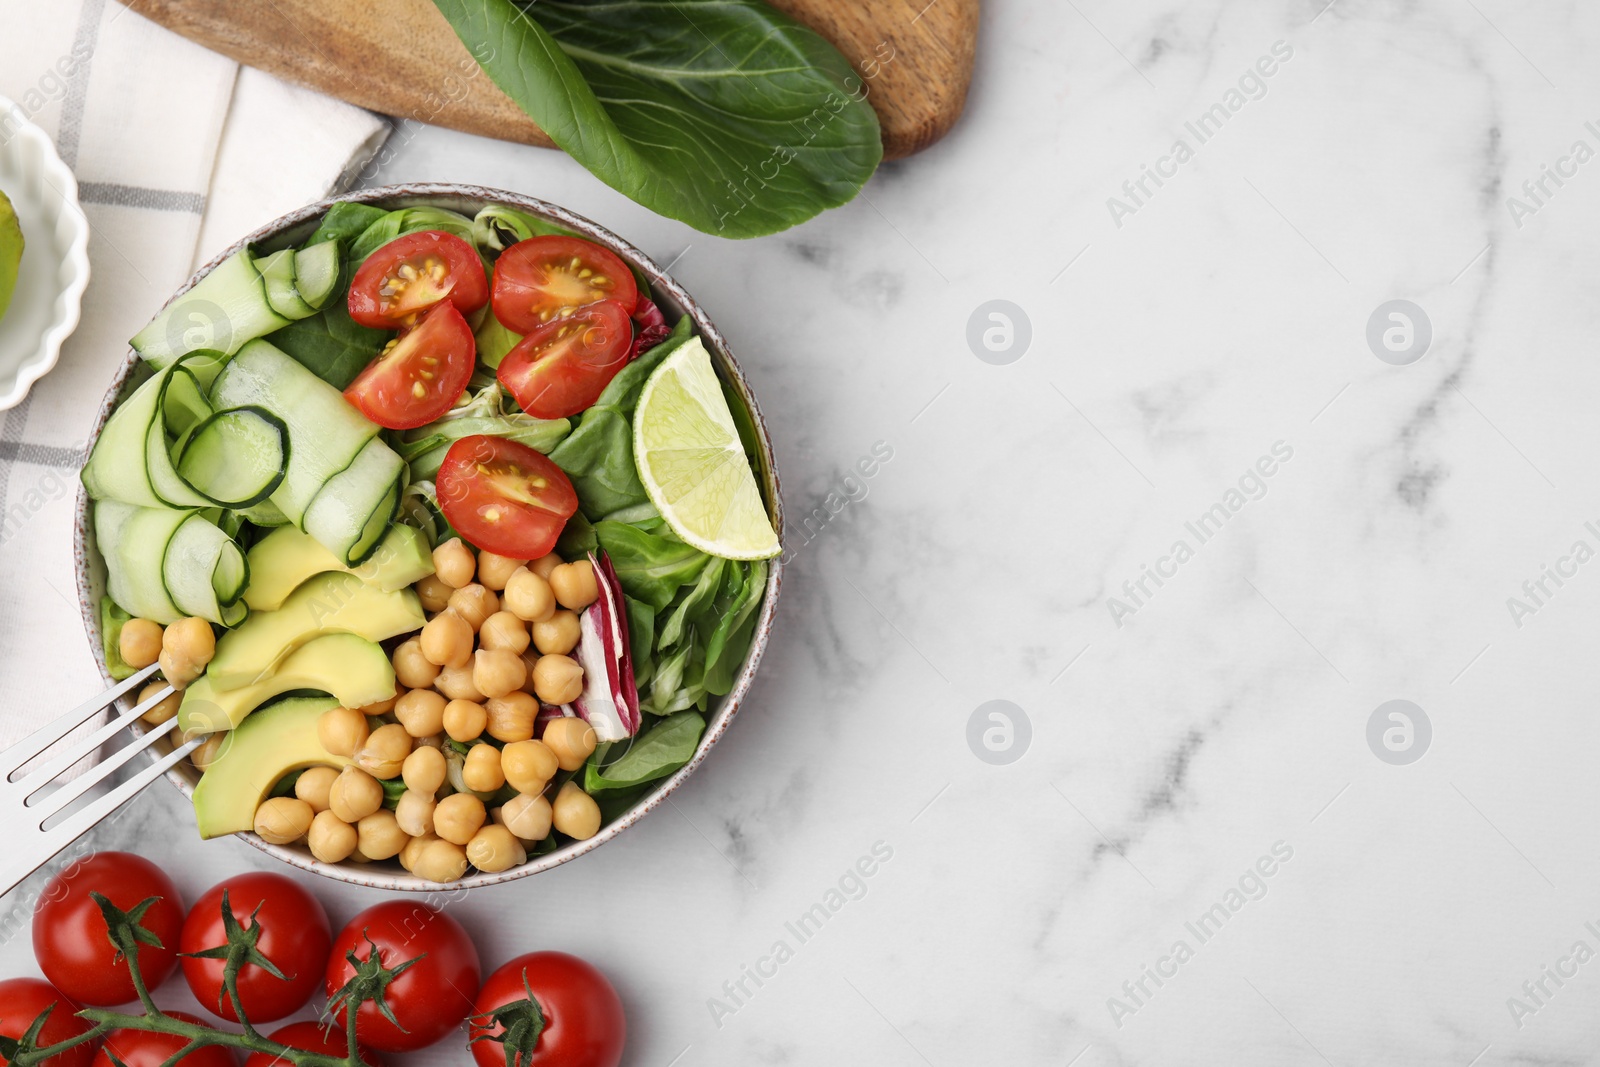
(287,557)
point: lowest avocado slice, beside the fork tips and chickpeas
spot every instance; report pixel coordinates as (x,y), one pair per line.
(276,741)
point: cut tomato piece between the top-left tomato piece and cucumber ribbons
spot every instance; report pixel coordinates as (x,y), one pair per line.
(420,375)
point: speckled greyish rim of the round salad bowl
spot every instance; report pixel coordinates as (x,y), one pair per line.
(674,302)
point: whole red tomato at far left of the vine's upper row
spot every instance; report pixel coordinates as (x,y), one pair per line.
(70,933)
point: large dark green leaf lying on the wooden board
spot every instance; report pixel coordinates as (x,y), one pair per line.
(724,114)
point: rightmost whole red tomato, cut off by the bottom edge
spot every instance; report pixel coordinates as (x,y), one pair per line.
(583,1017)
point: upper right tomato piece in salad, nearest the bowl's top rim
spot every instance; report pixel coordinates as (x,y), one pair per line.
(550,278)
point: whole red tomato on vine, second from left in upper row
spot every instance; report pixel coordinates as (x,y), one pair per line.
(295,937)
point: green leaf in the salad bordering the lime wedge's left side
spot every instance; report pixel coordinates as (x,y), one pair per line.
(599,454)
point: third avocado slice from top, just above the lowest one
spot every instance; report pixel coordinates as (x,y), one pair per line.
(353,669)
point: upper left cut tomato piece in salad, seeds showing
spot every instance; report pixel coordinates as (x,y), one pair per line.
(415,273)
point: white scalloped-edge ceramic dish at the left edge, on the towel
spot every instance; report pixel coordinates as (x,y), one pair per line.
(55,258)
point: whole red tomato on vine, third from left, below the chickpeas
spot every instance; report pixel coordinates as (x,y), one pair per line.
(431,997)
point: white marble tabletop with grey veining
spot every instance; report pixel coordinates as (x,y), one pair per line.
(1106,897)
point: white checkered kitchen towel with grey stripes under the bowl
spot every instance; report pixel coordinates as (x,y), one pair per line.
(178,153)
